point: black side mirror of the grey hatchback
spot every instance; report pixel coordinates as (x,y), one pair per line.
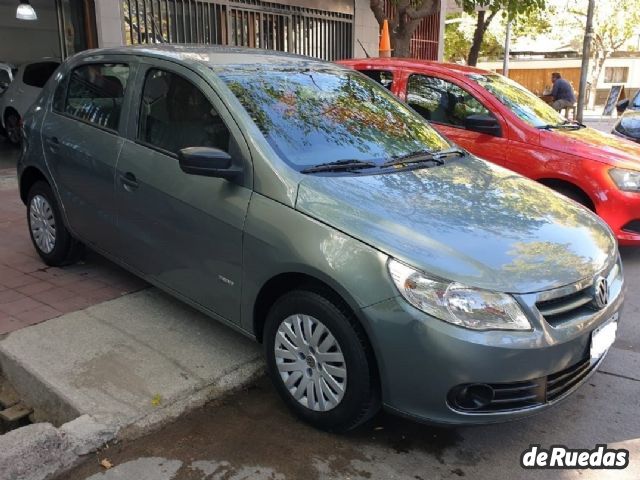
(208,162)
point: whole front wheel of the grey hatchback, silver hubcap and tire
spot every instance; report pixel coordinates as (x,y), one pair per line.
(319,361)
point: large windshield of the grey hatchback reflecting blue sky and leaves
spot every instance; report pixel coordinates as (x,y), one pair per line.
(312,117)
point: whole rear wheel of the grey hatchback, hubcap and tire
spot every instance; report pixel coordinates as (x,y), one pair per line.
(51,239)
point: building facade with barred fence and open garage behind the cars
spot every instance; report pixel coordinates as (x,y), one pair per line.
(325,29)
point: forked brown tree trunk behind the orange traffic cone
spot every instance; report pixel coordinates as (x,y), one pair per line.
(409,14)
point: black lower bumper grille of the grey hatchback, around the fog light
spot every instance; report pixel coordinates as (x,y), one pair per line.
(516,396)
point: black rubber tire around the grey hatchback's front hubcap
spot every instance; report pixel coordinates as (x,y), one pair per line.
(360,400)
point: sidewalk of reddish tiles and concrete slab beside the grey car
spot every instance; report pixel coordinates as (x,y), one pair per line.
(106,364)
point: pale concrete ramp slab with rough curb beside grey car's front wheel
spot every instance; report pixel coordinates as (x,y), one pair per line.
(169,348)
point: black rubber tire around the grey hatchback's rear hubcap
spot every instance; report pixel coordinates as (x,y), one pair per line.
(65,248)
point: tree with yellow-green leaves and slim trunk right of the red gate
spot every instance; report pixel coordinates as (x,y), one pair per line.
(487,10)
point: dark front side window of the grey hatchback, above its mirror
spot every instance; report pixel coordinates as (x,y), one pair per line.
(175,114)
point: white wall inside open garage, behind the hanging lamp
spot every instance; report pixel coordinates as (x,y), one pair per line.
(21,40)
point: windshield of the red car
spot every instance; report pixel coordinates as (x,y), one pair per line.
(519,100)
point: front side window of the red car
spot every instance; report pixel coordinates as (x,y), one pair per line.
(443,102)
